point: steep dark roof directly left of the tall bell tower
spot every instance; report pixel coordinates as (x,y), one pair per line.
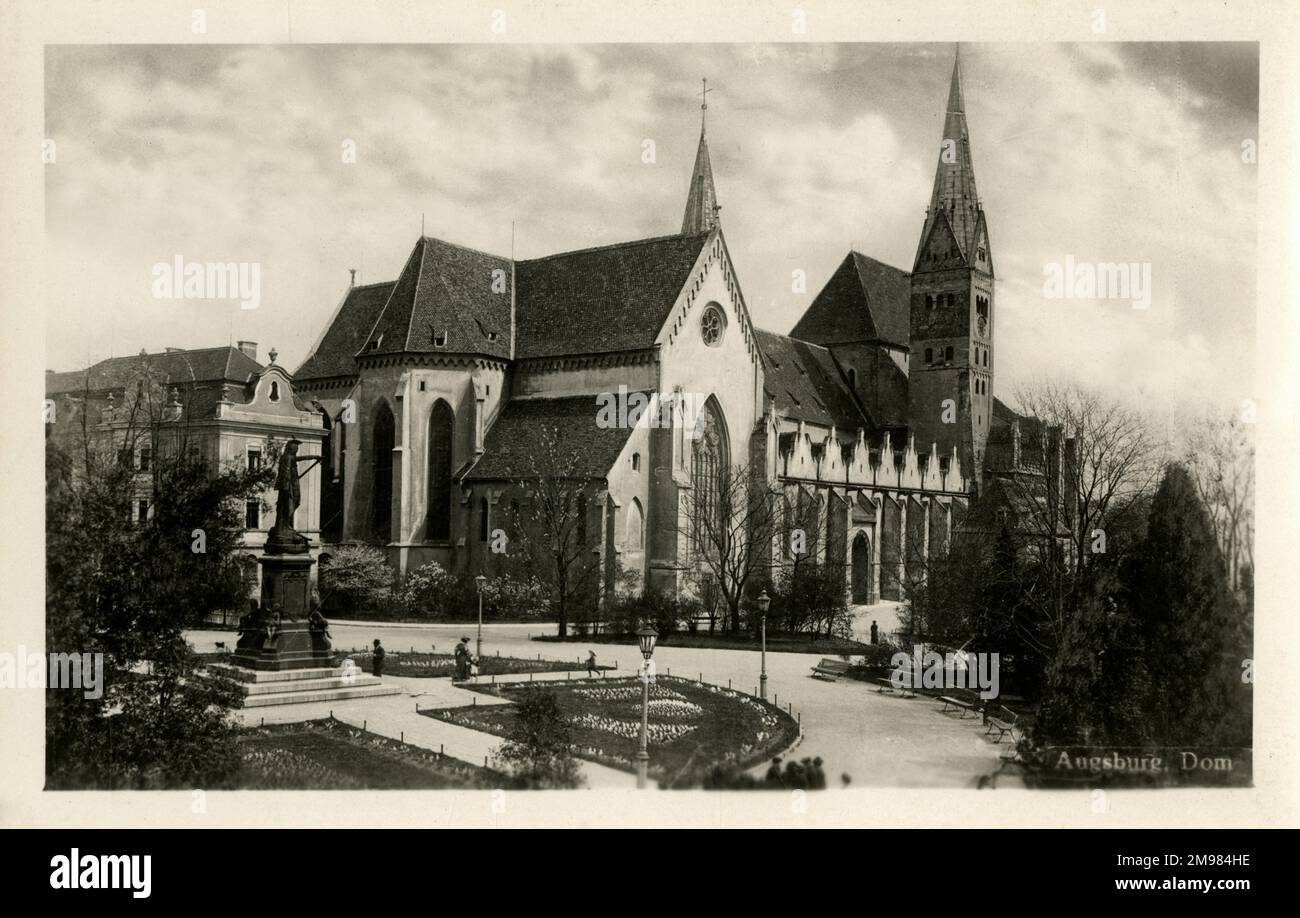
(864,301)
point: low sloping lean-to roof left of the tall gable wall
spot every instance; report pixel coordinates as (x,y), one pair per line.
(553,436)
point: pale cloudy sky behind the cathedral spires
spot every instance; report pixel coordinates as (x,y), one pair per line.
(1100,153)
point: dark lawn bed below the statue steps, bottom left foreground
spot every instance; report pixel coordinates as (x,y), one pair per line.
(332,756)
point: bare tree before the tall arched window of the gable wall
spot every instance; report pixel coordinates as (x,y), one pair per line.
(729,532)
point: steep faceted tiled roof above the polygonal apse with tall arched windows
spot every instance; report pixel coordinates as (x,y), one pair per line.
(445,293)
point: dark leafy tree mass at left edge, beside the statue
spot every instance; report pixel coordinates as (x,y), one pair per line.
(127,586)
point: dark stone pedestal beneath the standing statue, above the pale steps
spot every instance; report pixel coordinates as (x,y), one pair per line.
(283,636)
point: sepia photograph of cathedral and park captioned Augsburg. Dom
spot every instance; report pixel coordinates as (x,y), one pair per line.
(752,418)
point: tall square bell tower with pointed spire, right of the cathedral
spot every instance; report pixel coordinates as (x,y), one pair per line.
(951,362)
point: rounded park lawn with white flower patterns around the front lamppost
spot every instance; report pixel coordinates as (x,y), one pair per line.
(692,726)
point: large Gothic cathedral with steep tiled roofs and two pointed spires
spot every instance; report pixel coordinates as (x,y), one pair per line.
(440,391)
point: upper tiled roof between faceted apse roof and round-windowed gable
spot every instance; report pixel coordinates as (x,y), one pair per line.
(613,298)
